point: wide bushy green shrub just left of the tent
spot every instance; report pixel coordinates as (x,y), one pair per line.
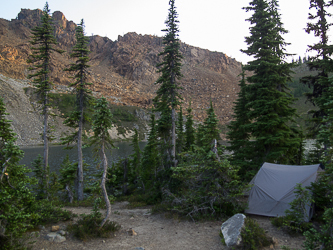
(206,187)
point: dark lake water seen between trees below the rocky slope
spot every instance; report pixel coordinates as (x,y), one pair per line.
(58,153)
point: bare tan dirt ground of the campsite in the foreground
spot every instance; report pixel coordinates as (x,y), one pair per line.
(155,232)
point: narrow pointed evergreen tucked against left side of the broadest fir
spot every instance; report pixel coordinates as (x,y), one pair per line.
(238,134)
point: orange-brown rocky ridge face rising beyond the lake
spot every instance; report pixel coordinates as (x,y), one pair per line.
(124,70)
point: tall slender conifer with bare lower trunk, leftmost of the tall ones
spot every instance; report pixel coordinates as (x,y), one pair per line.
(40,59)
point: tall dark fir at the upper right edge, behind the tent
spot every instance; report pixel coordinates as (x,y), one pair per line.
(321,63)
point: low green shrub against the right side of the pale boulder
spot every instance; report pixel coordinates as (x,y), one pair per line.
(253,236)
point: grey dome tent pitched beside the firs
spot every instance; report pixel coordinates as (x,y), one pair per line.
(274,186)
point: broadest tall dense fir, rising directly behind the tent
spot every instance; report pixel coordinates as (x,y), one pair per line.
(269,102)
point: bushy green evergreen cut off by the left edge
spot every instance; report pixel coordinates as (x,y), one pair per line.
(16,199)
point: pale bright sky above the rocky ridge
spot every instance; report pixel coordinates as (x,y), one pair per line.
(216,25)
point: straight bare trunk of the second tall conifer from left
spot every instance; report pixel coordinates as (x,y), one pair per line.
(79,187)
